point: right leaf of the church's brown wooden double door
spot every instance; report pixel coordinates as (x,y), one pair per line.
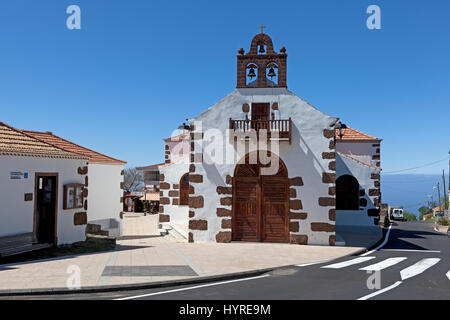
(275,210)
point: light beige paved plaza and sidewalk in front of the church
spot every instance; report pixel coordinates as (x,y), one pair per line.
(145,256)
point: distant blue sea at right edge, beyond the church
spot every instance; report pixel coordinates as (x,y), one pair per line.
(410,190)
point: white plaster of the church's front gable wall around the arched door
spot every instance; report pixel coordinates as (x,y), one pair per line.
(303,157)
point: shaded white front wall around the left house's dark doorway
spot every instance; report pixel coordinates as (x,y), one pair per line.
(17,215)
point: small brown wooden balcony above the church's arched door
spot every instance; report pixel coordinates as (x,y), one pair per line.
(276,129)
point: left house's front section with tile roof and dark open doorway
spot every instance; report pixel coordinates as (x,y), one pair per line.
(34,176)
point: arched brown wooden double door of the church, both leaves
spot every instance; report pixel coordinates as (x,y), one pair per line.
(260,205)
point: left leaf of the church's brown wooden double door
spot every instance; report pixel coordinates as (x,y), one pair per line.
(246,222)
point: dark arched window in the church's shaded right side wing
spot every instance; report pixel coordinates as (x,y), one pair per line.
(347,193)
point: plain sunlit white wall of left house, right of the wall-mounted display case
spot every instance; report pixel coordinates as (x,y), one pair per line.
(104,196)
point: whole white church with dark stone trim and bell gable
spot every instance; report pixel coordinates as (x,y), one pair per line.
(264,165)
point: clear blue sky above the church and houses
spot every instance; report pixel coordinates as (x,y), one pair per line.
(138,69)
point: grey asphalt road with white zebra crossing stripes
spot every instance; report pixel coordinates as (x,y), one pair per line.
(413,264)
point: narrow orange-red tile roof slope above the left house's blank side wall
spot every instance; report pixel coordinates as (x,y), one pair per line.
(50,138)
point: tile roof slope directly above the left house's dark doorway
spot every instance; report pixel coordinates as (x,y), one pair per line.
(15,142)
